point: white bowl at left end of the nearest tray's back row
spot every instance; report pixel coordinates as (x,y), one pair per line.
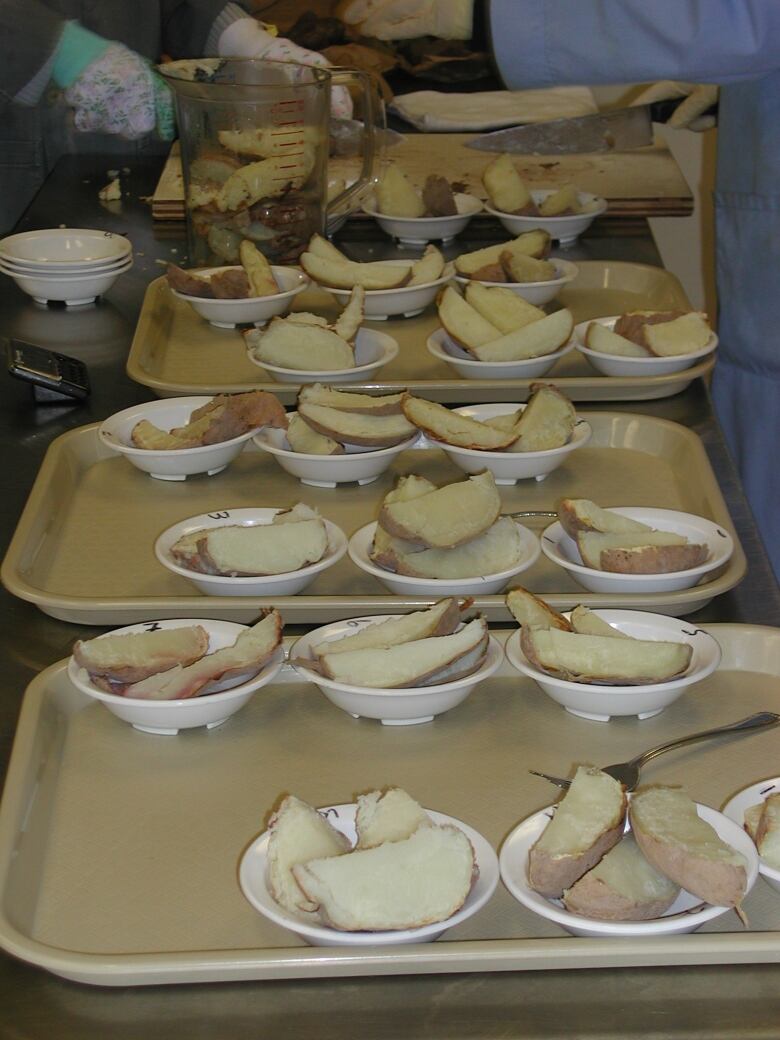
(218,703)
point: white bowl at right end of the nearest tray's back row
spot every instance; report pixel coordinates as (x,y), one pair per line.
(600,704)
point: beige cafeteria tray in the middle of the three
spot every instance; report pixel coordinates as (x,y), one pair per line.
(84,548)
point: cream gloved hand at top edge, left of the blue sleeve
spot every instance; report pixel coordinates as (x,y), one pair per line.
(409,19)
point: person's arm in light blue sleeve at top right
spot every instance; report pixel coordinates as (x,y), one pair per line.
(547,43)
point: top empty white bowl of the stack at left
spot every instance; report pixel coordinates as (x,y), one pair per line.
(71,249)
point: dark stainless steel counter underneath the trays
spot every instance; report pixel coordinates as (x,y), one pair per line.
(707,1002)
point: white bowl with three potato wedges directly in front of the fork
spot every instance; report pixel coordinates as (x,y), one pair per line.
(681,918)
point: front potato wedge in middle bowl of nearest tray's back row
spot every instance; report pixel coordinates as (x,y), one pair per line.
(421,663)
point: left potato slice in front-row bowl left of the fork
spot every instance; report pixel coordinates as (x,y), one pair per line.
(298,834)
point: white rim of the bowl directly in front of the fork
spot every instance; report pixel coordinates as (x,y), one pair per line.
(666,925)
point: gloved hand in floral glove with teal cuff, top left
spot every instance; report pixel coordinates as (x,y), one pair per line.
(112,89)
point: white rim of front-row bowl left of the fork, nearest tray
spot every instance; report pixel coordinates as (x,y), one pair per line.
(486,859)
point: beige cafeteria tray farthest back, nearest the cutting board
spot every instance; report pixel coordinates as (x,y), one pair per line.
(176,353)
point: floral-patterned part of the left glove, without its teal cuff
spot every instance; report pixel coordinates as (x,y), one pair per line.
(120,94)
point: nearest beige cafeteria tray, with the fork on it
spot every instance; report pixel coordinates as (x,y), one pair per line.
(119,850)
